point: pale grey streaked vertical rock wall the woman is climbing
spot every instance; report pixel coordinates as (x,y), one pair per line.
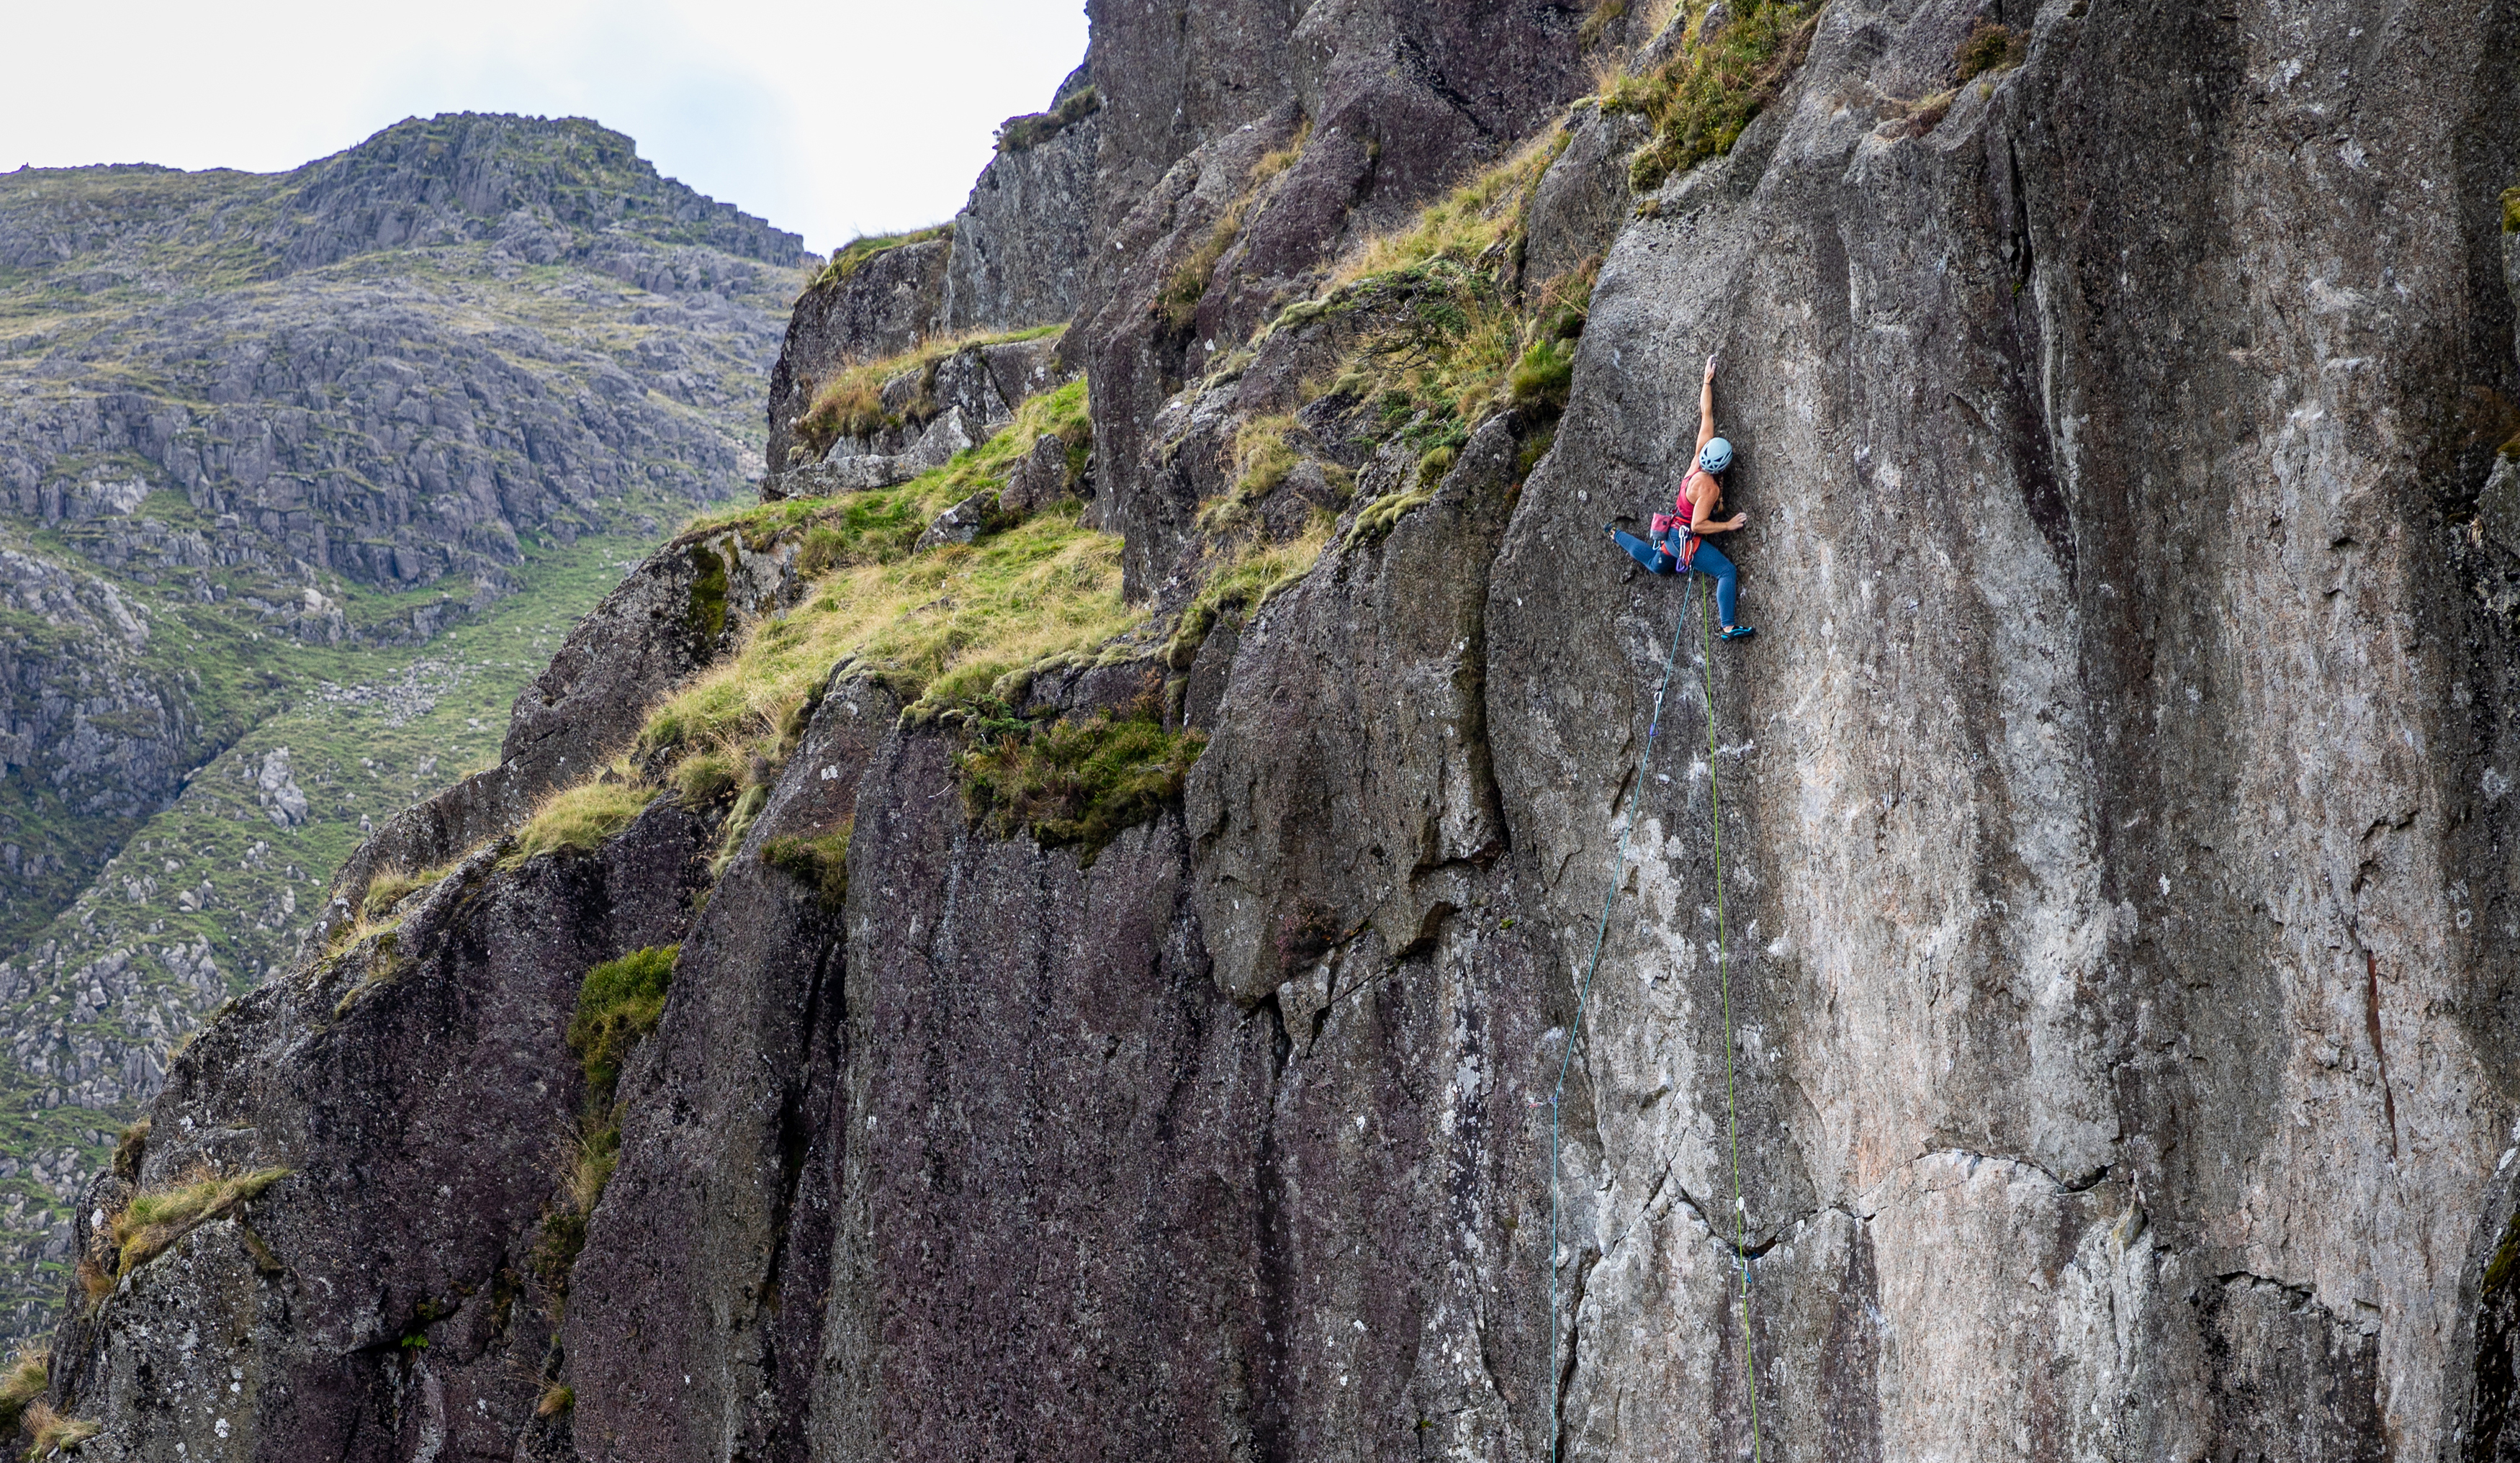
(2110,850)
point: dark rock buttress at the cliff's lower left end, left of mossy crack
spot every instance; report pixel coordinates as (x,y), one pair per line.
(490,968)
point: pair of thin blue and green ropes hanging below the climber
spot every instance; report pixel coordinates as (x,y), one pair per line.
(1584,996)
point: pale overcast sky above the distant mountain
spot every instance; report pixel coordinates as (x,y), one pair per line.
(825,120)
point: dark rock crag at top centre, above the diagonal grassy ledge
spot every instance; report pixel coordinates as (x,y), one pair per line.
(1400,102)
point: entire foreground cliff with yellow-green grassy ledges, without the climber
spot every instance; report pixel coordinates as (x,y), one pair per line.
(1080,951)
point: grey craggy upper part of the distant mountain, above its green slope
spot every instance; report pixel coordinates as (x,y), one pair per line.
(392,369)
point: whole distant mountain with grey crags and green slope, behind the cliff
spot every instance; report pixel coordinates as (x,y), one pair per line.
(301,480)
